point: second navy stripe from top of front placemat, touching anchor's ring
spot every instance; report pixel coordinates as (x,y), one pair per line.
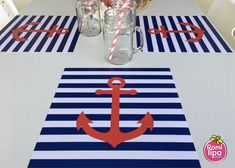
(121,76)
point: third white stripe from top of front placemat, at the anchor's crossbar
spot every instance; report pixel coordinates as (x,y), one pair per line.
(139,90)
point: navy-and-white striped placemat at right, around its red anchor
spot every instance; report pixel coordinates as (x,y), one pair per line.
(211,42)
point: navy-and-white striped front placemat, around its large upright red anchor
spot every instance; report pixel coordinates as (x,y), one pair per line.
(169,144)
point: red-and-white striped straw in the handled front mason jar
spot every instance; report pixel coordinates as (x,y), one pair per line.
(115,37)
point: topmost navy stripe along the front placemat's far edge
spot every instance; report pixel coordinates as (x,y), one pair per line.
(118,69)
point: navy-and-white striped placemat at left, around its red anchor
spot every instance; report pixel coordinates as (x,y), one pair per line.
(39,41)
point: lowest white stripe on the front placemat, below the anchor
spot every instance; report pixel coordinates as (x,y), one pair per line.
(115,155)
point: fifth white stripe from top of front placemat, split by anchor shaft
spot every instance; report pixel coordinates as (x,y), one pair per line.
(122,111)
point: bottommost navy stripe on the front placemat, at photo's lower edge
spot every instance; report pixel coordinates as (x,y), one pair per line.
(115,163)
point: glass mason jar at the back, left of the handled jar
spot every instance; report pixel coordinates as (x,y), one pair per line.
(88,17)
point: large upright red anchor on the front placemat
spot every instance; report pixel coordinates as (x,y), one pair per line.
(114,136)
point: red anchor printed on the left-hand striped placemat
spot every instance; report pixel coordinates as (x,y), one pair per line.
(51,32)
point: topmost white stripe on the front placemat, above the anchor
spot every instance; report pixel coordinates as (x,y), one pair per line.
(116,73)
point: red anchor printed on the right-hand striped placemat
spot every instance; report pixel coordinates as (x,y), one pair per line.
(165,32)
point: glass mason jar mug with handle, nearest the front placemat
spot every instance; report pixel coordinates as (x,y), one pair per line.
(118,45)
